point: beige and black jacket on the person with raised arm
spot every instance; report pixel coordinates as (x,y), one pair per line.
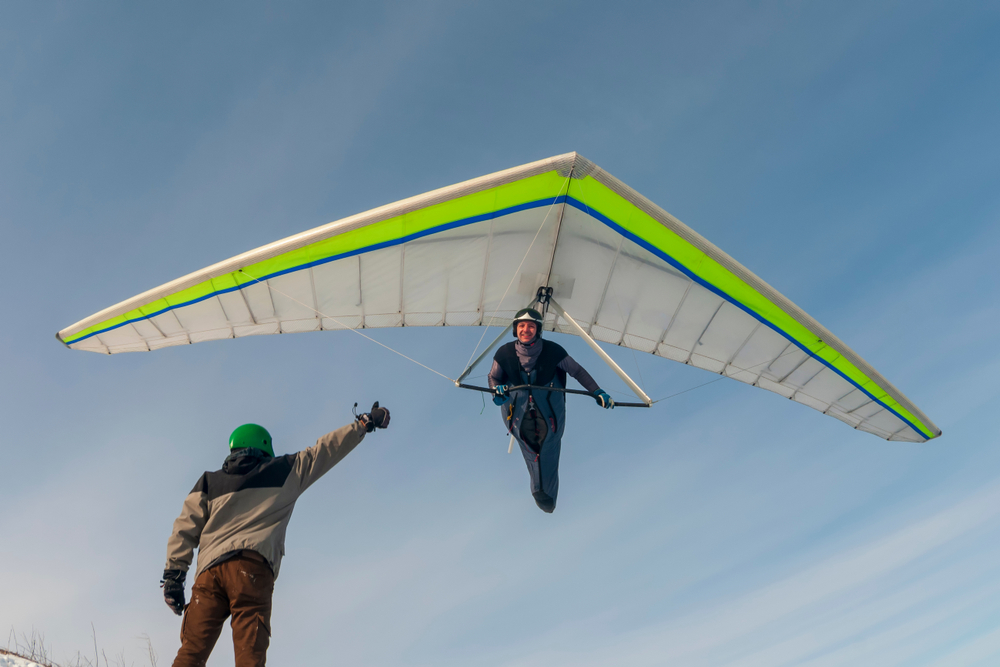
(248,503)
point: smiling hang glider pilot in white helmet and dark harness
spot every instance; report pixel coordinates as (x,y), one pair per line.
(536,418)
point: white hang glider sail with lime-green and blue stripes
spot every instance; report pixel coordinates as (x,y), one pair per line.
(474,253)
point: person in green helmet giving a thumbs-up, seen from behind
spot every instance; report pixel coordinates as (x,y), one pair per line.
(236,517)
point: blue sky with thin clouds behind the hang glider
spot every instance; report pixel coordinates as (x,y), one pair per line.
(846,153)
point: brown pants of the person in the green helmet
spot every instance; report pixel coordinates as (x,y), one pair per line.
(241,587)
